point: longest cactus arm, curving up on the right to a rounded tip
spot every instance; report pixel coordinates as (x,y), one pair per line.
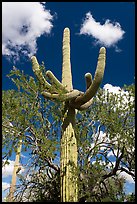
(91,91)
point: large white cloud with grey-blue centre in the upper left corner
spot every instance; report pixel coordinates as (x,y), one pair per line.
(22,24)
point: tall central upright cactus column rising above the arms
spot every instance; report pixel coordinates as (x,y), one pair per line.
(66,65)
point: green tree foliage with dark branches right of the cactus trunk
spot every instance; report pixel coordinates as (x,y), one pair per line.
(114,117)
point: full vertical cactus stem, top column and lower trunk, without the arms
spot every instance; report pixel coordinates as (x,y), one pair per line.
(68,162)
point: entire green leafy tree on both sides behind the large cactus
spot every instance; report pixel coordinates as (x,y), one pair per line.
(106,129)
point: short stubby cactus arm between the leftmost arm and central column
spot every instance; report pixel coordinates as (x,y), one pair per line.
(55,81)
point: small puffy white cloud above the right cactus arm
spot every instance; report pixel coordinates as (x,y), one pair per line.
(107,34)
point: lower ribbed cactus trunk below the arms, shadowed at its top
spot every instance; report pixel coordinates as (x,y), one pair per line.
(68,164)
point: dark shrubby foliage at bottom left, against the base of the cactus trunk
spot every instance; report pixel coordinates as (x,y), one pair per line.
(41,187)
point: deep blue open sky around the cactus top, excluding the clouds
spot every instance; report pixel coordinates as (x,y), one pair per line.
(120,66)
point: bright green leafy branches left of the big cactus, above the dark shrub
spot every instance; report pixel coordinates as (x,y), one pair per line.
(31,117)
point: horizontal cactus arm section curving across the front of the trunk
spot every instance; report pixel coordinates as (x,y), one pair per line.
(62,97)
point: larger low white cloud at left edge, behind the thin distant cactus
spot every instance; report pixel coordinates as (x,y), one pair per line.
(7,170)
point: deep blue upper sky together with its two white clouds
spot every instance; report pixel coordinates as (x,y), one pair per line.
(45,31)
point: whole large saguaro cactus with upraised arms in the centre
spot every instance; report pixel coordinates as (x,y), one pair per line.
(72,99)
